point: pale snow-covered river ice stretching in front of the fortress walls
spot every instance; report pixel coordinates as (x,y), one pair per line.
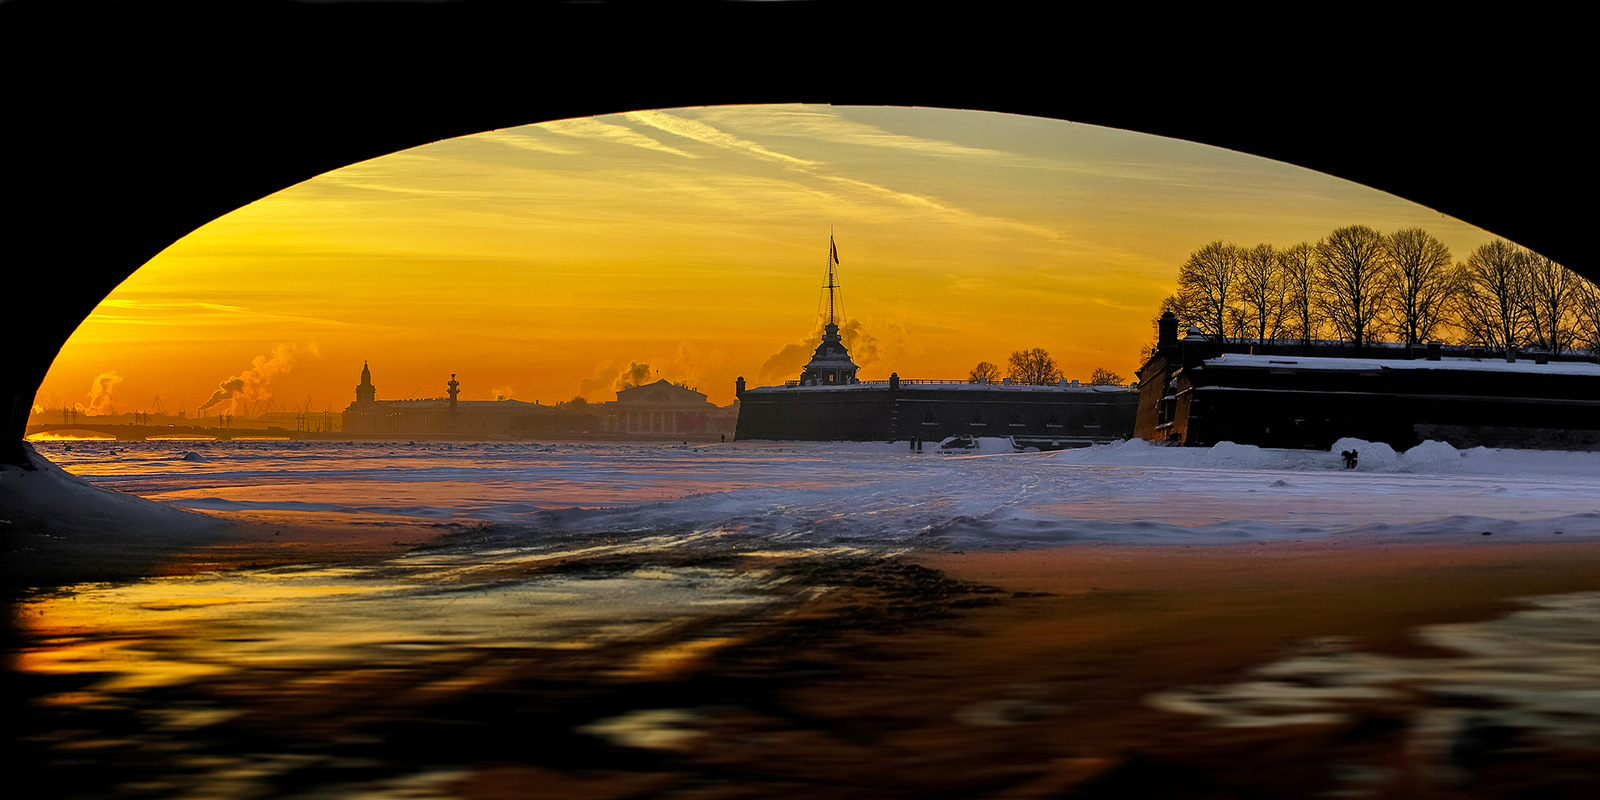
(878,492)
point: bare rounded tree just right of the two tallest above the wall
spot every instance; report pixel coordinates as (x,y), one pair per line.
(1494,305)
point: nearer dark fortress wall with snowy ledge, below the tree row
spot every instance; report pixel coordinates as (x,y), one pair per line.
(1198,393)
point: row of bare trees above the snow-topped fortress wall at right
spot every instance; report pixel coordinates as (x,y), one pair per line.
(1362,286)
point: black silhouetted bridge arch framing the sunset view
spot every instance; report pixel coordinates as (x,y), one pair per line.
(174,126)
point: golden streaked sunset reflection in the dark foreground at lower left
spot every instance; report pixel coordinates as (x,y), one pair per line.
(170,631)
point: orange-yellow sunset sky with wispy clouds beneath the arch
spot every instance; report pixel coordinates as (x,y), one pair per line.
(545,262)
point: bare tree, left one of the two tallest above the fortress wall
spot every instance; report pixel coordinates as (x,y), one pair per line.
(1353,276)
